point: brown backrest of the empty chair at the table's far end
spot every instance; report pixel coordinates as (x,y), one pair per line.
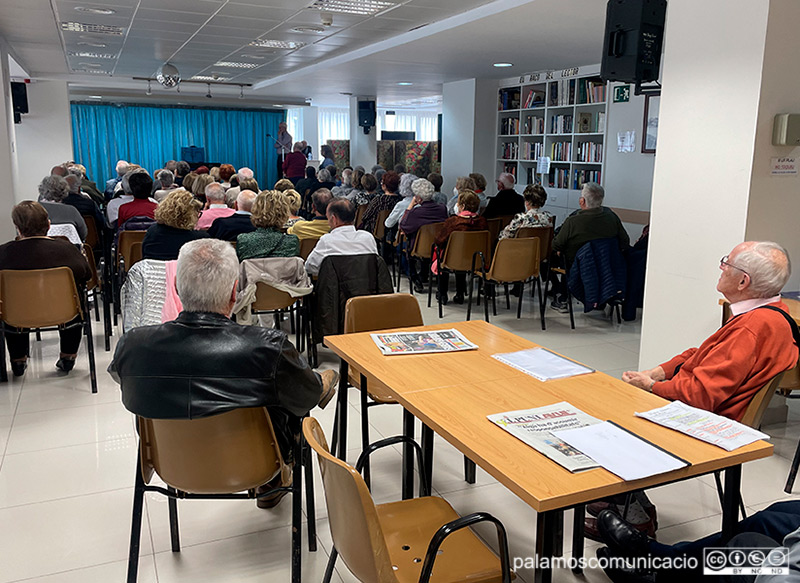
(381,312)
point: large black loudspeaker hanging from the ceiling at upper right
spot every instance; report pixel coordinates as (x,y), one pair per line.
(633,40)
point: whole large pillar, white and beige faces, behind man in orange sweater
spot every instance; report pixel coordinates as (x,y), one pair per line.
(729,67)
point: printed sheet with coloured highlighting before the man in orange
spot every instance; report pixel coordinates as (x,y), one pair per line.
(703,425)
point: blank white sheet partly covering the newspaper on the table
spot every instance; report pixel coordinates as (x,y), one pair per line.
(620,452)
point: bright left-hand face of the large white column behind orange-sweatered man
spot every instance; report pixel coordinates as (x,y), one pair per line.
(701,186)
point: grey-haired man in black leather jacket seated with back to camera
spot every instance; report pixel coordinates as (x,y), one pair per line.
(204,364)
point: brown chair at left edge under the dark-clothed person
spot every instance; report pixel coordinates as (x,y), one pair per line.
(43,299)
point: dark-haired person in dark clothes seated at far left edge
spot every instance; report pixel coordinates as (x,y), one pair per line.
(34,250)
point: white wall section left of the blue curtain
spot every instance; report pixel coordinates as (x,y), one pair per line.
(44,138)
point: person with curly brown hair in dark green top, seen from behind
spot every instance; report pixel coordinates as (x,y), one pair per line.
(270,211)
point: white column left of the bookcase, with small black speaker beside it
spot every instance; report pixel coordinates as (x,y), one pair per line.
(468,120)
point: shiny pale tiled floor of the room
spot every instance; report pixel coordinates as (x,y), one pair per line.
(67,461)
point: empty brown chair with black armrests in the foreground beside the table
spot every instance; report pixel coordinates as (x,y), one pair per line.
(401,542)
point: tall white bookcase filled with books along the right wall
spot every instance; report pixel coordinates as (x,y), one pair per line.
(559,114)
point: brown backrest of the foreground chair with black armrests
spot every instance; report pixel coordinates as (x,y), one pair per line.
(353,519)
